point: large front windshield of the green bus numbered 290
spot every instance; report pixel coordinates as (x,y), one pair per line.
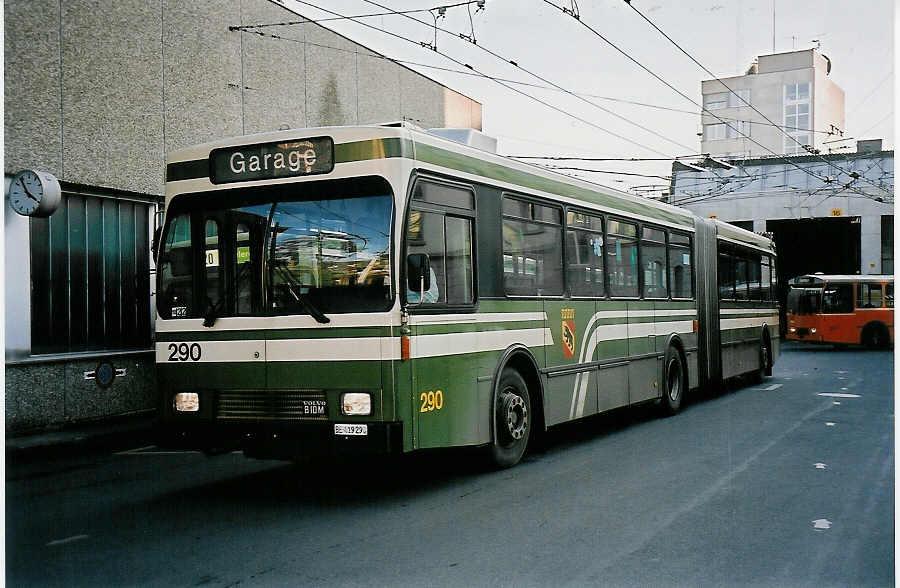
(301,248)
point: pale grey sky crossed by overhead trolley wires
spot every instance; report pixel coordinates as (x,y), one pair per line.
(724,35)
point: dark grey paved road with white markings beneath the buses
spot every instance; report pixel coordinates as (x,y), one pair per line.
(772,485)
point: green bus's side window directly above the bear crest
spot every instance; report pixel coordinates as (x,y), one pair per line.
(584,255)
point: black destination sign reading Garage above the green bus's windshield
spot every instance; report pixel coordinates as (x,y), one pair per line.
(268,161)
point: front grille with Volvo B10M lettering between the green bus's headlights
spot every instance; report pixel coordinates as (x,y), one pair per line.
(271,405)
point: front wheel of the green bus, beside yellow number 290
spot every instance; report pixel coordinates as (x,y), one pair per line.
(512,420)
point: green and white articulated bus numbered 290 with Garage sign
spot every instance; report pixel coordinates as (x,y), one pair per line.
(383,289)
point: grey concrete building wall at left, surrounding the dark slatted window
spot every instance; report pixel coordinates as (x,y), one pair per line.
(98,91)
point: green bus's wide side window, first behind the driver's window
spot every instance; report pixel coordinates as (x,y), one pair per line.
(532,251)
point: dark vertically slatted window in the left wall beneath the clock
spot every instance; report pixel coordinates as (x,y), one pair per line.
(90,276)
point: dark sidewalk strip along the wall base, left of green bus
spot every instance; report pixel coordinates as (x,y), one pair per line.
(119,434)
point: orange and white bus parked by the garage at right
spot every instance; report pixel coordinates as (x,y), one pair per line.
(841,310)
